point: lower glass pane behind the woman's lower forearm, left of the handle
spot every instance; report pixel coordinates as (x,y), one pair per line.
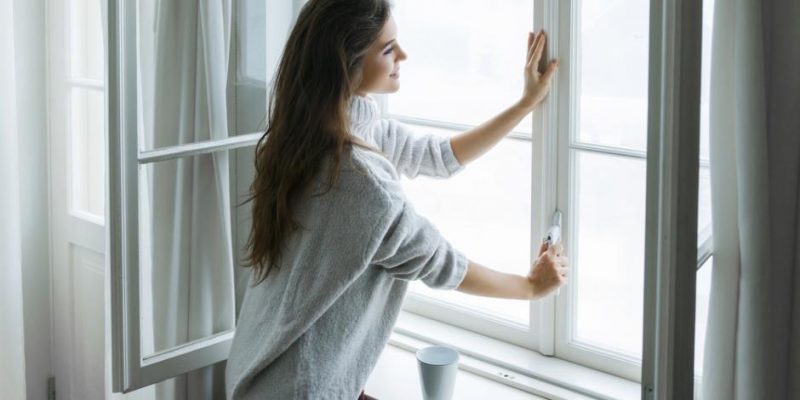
(491,225)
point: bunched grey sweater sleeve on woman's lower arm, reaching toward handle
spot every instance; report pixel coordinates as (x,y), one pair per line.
(412,248)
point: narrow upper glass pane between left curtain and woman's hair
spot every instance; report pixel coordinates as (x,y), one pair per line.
(251,75)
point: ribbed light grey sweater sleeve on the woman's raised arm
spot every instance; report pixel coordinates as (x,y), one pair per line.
(415,153)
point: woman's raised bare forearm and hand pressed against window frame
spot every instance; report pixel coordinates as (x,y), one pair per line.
(477,141)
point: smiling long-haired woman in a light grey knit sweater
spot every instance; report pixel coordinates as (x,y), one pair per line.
(334,241)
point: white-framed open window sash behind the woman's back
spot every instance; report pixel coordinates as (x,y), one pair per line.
(137,362)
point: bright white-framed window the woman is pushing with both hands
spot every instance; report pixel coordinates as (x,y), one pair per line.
(583,152)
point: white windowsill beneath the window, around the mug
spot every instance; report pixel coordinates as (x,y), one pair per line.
(498,366)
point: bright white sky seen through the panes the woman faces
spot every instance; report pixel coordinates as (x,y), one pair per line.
(486,210)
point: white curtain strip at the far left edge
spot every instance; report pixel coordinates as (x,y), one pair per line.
(12,363)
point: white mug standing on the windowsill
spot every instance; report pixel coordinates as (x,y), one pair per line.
(438,366)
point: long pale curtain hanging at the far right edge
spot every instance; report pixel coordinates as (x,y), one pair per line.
(753,337)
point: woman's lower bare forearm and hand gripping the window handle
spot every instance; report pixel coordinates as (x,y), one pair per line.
(547,273)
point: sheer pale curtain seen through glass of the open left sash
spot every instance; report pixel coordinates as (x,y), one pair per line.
(188,199)
